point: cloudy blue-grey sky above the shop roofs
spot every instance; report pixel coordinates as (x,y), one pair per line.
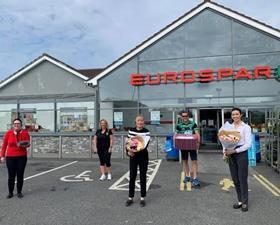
(93,33)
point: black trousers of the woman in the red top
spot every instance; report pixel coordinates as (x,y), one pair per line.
(16,167)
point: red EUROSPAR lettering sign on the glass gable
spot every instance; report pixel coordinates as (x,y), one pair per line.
(207,75)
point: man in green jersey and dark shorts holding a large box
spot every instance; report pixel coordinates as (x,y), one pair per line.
(187,126)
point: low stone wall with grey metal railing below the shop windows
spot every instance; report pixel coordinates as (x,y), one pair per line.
(80,145)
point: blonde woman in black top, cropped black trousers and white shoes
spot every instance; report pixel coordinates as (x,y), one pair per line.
(103,142)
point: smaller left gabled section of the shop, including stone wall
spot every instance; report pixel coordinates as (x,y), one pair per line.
(53,101)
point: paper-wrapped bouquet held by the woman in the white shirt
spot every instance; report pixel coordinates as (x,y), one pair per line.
(228,137)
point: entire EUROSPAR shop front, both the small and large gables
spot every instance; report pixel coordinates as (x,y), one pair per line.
(207,61)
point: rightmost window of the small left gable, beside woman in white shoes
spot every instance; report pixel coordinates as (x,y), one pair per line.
(75,116)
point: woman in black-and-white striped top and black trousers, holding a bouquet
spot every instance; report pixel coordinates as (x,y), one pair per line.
(140,159)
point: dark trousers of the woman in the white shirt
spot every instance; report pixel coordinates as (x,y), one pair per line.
(238,166)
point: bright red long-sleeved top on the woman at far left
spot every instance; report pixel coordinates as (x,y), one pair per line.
(9,145)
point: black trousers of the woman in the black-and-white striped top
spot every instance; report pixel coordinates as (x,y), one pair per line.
(140,159)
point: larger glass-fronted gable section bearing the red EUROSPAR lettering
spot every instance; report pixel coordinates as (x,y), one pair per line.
(207,61)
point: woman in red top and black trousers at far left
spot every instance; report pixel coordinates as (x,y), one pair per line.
(14,150)
